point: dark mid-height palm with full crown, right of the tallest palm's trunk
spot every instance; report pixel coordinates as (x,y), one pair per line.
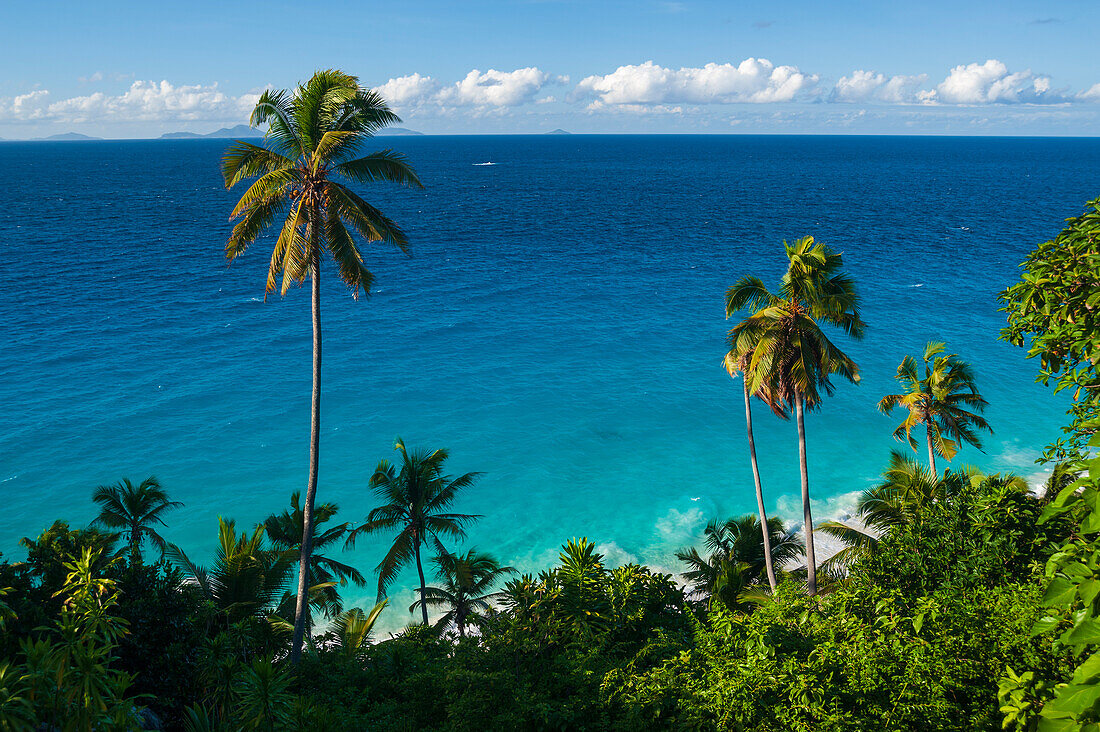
(416,499)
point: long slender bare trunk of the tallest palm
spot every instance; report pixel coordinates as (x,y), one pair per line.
(302,606)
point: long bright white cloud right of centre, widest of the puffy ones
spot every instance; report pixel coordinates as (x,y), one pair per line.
(755,81)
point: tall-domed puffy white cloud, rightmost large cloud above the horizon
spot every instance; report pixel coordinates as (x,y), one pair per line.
(992,84)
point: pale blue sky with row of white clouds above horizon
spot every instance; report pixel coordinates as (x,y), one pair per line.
(138,70)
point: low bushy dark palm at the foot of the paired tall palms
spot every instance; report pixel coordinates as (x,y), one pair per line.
(736,547)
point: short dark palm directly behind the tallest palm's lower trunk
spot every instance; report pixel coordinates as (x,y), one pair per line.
(285,531)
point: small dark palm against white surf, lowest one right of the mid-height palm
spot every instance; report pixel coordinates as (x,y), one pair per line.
(467,581)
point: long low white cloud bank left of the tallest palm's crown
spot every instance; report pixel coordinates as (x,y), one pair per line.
(142,102)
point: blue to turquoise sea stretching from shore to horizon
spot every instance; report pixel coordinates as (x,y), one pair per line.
(559,327)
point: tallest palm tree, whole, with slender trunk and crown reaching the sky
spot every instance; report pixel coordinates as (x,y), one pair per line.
(315,136)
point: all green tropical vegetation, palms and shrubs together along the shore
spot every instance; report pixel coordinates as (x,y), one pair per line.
(962,600)
